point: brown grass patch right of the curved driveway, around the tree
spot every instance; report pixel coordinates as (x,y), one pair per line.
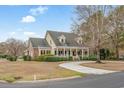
(107,65)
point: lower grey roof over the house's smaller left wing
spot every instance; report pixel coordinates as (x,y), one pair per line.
(38,42)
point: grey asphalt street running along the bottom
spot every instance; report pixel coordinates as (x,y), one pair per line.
(113,80)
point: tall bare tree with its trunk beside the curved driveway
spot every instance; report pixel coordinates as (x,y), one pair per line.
(94,19)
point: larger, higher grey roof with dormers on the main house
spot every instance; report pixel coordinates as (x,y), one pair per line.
(70,38)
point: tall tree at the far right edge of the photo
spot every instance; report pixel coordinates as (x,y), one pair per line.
(114,28)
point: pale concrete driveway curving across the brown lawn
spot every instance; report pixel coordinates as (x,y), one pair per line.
(82,69)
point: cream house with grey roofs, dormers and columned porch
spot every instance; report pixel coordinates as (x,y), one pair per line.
(58,44)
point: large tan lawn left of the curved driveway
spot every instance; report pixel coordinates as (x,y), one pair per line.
(27,70)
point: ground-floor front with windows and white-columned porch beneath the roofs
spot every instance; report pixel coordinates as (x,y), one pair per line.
(65,51)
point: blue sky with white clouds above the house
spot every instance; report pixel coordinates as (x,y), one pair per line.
(22,22)
